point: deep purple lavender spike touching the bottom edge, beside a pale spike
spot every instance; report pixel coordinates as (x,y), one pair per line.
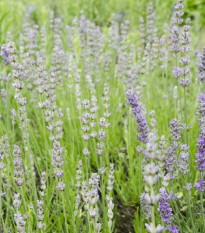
(166,211)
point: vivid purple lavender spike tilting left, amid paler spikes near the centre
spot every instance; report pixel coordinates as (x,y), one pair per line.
(139,114)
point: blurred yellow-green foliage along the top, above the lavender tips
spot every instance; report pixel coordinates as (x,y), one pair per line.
(12,12)
